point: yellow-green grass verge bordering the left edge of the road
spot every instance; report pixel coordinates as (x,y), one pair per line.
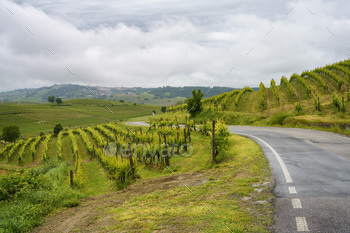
(236,194)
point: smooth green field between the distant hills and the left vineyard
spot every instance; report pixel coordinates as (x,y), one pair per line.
(41,118)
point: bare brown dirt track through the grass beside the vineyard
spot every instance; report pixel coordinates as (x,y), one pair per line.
(86,217)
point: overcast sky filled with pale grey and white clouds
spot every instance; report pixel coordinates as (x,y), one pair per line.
(137,43)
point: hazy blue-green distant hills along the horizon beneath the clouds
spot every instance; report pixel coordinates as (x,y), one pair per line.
(156,96)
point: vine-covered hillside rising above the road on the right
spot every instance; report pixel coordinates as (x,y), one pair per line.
(315,98)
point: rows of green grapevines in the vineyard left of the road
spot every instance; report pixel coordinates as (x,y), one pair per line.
(119,149)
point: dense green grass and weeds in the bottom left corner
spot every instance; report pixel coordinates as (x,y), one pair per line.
(38,192)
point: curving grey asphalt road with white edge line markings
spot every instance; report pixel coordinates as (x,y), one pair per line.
(312,176)
